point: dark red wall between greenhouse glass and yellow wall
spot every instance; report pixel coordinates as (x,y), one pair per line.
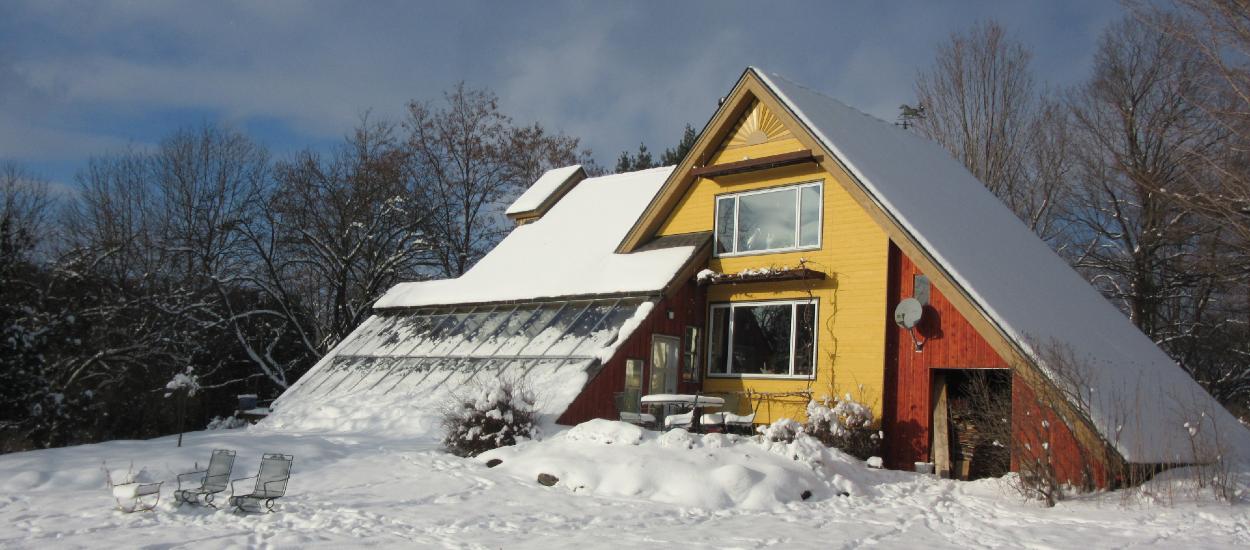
(598,399)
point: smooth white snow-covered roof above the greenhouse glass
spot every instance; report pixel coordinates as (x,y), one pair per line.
(569,252)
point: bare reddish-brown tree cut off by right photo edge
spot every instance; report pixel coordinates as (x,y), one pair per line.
(1216,36)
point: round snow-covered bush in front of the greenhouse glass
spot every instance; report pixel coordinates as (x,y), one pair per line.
(493,414)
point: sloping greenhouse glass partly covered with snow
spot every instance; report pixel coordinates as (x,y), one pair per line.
(401,367)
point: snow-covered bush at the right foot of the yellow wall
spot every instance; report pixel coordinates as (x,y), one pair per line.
(844,424)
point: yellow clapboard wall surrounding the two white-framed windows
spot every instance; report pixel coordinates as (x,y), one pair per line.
(853,299)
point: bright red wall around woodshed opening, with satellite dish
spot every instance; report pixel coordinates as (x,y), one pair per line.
(952,343)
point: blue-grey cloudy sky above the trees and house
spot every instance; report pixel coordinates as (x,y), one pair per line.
(81,79)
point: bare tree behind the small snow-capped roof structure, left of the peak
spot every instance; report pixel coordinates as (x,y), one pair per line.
(469,161)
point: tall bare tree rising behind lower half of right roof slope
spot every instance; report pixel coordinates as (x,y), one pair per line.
(1144,143)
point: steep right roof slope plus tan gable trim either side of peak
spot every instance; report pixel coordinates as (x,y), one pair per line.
(981,266)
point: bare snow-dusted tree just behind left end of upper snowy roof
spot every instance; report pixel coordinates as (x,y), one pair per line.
(339,232)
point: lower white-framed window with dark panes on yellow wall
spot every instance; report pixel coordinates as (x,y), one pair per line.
(763,339)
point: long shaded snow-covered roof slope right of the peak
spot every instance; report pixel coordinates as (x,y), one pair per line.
(1139,398)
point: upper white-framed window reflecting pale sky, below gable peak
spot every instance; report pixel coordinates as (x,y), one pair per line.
(769,221)
